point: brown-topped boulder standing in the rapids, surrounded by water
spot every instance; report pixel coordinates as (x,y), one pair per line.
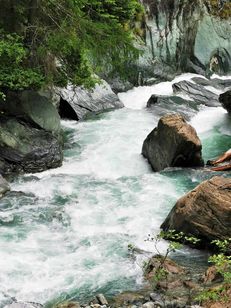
(174,143)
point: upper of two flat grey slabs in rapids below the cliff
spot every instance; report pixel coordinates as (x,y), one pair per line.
(197,93)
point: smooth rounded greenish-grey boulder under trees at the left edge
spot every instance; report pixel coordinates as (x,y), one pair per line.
(33,108)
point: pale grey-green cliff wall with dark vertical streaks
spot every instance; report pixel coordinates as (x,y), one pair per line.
(186,36)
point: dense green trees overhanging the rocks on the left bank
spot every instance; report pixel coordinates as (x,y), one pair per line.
(53,42)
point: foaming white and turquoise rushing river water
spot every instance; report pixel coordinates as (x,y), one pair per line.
(65,232)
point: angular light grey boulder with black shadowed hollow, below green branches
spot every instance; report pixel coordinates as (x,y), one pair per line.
(78,102)
